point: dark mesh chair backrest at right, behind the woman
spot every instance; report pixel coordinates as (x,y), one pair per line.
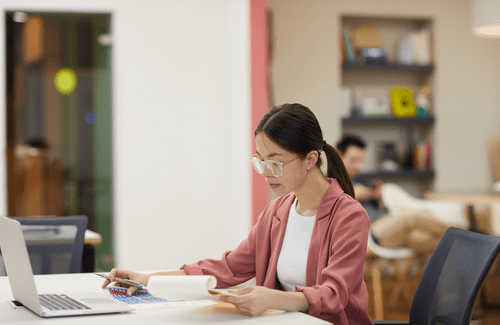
(452,278)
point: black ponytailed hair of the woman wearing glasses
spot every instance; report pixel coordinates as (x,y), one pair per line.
(295,128)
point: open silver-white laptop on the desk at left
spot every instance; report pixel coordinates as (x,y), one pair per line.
(22,282)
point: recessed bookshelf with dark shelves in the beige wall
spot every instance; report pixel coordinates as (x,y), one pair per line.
(367,78)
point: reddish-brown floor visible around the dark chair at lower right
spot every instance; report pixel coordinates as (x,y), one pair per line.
(401,311)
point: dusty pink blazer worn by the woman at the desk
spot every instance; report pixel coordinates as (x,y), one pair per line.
(334,286)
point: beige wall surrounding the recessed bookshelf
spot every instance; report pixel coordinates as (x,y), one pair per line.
(306,69)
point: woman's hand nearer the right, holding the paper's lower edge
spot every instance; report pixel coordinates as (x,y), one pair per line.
(252,301)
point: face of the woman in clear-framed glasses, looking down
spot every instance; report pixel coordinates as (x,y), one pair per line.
(294,172)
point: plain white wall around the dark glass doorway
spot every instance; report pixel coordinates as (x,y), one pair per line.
(181,126)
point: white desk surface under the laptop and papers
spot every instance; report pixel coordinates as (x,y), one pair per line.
(86,282)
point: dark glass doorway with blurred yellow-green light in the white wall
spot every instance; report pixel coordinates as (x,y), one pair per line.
(59,119)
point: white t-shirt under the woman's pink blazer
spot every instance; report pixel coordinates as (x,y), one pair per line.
(292,262)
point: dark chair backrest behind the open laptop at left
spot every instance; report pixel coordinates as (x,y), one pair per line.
(55,244)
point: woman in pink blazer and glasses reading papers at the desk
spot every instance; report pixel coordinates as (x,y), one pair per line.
(308,247)
